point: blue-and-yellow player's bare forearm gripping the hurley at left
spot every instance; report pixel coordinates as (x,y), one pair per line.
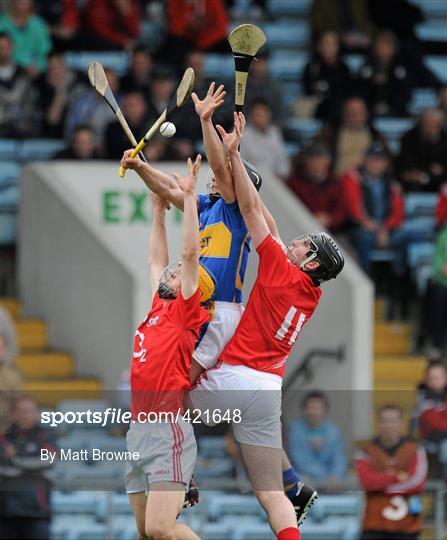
(157,181)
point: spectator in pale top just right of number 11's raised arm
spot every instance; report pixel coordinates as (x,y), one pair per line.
(263,144)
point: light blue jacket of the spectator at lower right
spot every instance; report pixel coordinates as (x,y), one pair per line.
(317,452)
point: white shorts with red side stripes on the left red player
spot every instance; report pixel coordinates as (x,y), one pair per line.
(167,453)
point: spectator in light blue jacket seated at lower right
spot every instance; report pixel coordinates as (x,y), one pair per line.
(316,447)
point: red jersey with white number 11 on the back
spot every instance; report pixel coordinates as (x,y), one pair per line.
(282,300)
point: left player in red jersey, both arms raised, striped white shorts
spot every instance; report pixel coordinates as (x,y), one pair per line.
(164,443)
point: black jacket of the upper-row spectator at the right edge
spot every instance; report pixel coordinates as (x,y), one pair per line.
(419,154)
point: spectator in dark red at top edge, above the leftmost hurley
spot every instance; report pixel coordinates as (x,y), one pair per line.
(111,24)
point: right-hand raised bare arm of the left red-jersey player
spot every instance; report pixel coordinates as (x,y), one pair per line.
(191,235)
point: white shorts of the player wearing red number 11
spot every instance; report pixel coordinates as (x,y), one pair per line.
(257,395)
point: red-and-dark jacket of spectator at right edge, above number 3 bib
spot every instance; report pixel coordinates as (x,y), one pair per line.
(431,413)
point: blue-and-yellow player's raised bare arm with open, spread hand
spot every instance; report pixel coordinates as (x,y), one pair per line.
(215,152)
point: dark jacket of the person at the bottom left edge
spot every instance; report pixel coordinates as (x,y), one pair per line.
(24,481)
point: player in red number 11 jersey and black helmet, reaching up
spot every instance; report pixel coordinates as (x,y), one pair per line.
(249,375)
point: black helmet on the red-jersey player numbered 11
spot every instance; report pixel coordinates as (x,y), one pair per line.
(326,252)
